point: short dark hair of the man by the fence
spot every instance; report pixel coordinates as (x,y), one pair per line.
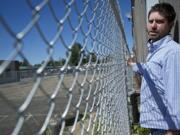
(164,9)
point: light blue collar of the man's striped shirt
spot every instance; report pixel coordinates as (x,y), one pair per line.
(152,46)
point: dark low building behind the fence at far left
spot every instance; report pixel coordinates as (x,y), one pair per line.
(11,72)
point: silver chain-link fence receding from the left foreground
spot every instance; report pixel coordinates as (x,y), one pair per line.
(62,68)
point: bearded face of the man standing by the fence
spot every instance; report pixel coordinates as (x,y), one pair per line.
(157,26)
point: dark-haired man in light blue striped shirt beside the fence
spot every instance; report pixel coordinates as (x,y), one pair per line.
(160,89)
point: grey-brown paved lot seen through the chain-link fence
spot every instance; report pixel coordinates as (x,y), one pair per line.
(12,96)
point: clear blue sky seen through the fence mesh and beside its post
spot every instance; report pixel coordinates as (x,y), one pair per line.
(18,14)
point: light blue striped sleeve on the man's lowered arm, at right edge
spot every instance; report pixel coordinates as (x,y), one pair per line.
(172,84)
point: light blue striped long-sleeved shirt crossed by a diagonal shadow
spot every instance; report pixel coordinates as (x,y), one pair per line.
(160,89)
